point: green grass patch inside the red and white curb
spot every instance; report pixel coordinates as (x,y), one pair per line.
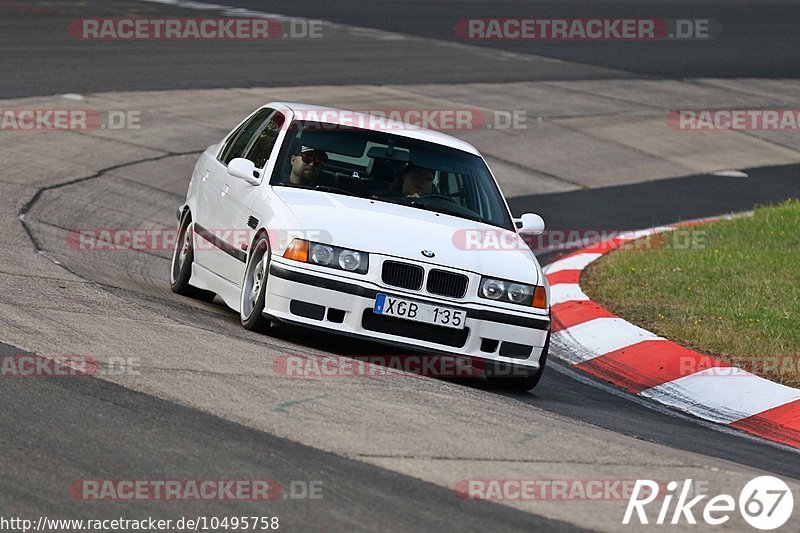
(729,289)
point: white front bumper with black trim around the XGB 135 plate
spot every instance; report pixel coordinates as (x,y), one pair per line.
(343,305)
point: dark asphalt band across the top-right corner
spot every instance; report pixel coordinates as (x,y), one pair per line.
(754,39)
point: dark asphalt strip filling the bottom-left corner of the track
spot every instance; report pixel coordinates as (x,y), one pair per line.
(108,444)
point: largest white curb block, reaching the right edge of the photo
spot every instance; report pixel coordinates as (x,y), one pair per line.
(722,395)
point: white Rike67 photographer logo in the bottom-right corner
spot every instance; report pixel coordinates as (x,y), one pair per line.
(765,503)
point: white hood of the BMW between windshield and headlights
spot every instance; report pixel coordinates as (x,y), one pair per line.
(404,232)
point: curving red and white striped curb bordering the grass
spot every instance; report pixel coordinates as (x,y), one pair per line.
(595,341)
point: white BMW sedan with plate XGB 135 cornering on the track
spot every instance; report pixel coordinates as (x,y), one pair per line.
(332,220)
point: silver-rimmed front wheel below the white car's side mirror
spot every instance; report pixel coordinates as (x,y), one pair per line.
(254,286)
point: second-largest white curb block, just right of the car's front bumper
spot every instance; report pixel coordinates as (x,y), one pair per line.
(601,336)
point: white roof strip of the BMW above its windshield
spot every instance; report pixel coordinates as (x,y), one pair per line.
(332,115)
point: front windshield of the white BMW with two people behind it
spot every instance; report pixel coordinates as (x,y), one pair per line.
(384,166)
